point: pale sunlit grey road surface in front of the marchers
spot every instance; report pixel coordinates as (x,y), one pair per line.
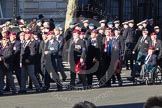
(127,96)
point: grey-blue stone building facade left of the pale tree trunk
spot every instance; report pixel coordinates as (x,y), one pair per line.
(32,8)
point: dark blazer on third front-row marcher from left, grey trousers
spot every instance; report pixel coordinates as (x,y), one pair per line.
(28,53)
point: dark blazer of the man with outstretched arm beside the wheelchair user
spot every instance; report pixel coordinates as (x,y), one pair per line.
(143,46)
